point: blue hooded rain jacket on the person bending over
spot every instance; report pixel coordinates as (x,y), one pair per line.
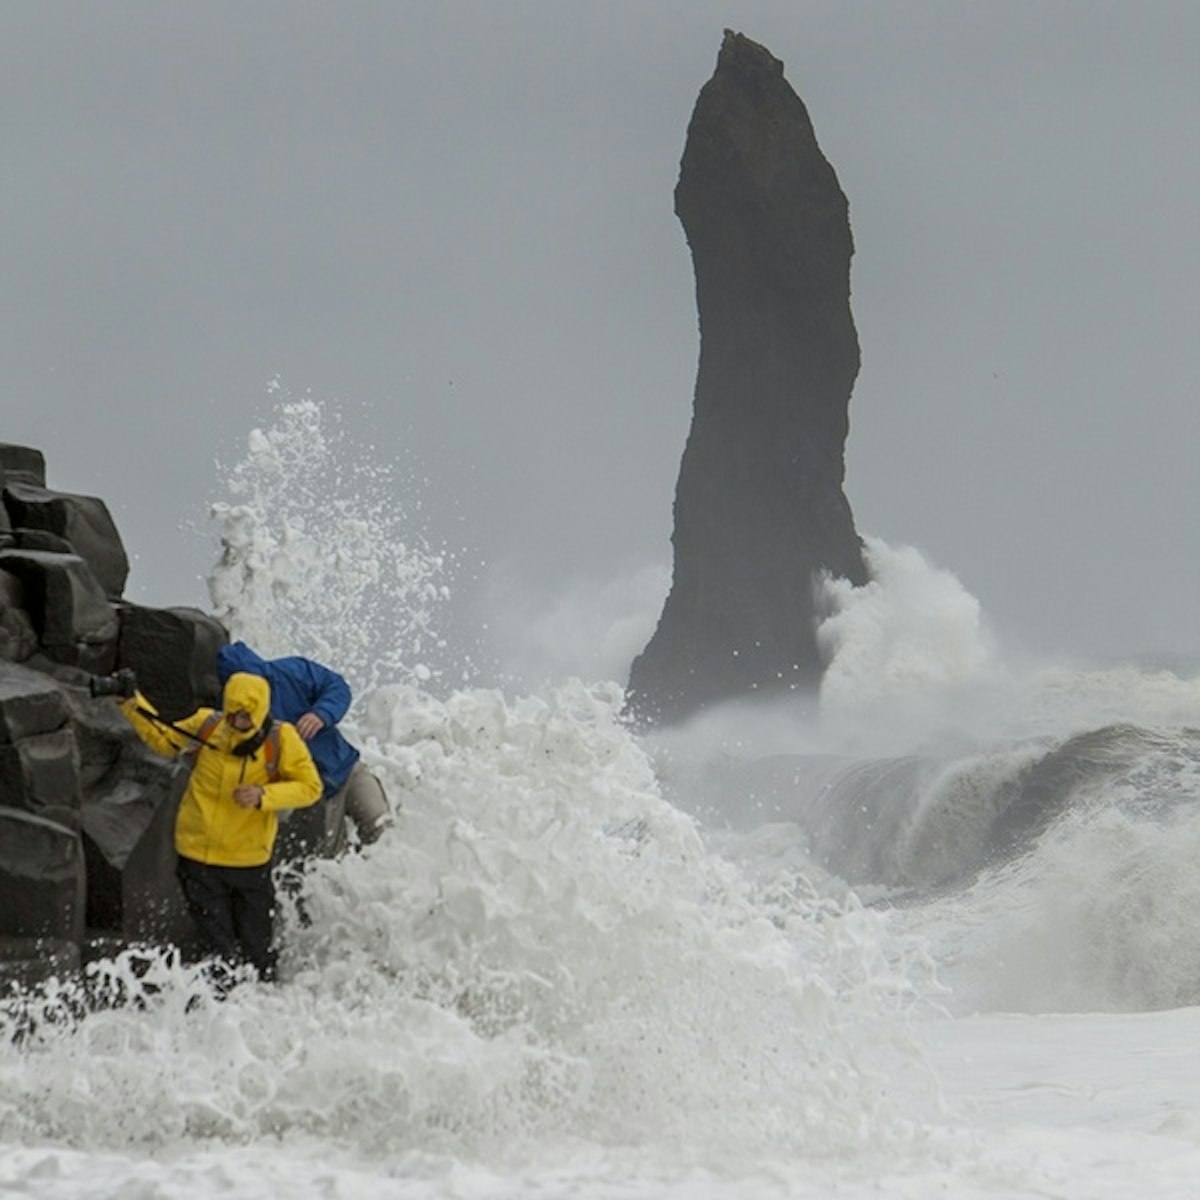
(298,687)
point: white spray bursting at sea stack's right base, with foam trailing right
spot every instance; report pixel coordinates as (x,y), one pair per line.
(914,664)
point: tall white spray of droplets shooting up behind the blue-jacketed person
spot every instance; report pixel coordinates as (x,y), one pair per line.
(321,556)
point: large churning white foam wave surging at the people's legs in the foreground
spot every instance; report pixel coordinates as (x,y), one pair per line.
(541,950)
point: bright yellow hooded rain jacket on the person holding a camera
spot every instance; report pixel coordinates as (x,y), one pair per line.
(212,827)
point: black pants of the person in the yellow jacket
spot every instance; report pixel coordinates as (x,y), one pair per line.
(235,910)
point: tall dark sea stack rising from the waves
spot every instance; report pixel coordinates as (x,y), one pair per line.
(760,513)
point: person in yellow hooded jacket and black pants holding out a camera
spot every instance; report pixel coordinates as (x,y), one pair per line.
(247,769)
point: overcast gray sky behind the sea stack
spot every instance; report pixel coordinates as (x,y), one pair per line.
(454,220)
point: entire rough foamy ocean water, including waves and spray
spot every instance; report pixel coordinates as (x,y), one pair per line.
(931,934)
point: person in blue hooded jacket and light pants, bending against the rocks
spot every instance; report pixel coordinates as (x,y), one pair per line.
(315,699)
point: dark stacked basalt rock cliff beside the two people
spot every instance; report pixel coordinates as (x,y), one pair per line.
(87,813)
